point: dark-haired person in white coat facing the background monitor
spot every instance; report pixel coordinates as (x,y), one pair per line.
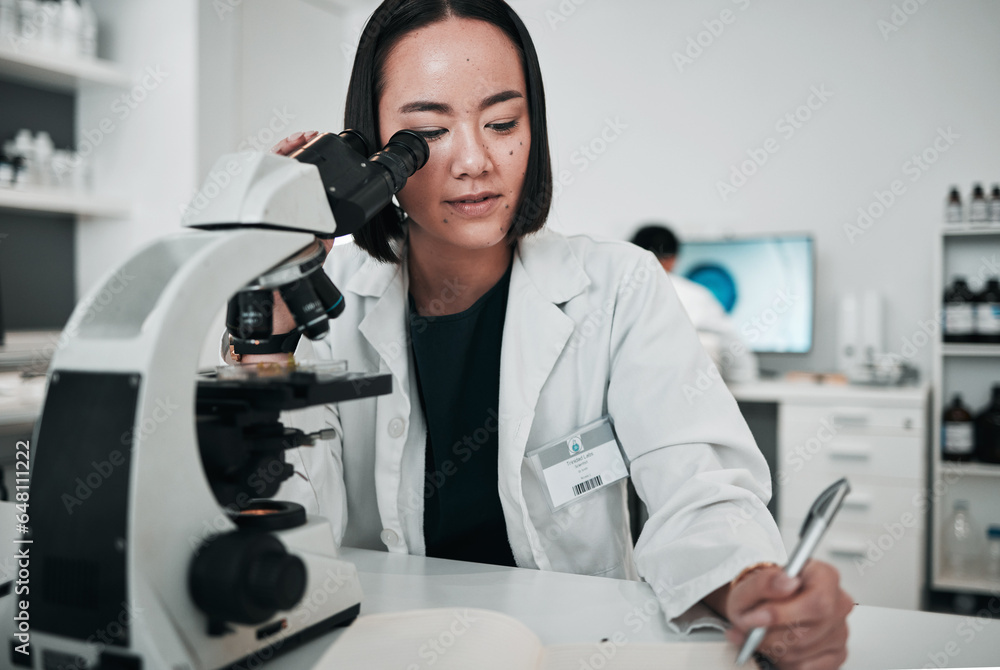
(717,332)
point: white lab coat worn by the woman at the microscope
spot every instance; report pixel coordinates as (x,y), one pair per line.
(592,328)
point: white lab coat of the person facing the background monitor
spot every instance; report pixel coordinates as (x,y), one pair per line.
(716,331)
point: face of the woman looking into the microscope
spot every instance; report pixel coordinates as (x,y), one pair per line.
(460,84)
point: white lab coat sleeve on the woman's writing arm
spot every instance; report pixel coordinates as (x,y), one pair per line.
(694,462)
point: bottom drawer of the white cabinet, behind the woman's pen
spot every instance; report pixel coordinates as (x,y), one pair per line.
(875,567)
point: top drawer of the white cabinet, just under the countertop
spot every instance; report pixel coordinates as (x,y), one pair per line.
(855,419)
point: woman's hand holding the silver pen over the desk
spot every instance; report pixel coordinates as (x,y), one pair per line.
(805,617)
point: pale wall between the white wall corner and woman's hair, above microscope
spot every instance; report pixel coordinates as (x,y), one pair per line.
(268,70)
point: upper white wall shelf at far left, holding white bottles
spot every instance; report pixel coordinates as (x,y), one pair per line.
(59,73)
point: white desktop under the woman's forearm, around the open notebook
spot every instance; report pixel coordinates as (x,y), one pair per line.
(562,608)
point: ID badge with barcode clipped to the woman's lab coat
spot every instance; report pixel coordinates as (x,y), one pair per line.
(587,460)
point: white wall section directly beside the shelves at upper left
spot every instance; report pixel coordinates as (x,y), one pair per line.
(145,137)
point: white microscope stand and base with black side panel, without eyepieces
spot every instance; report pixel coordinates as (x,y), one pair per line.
(119,499)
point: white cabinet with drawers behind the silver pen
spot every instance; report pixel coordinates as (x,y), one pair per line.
(878,439)
